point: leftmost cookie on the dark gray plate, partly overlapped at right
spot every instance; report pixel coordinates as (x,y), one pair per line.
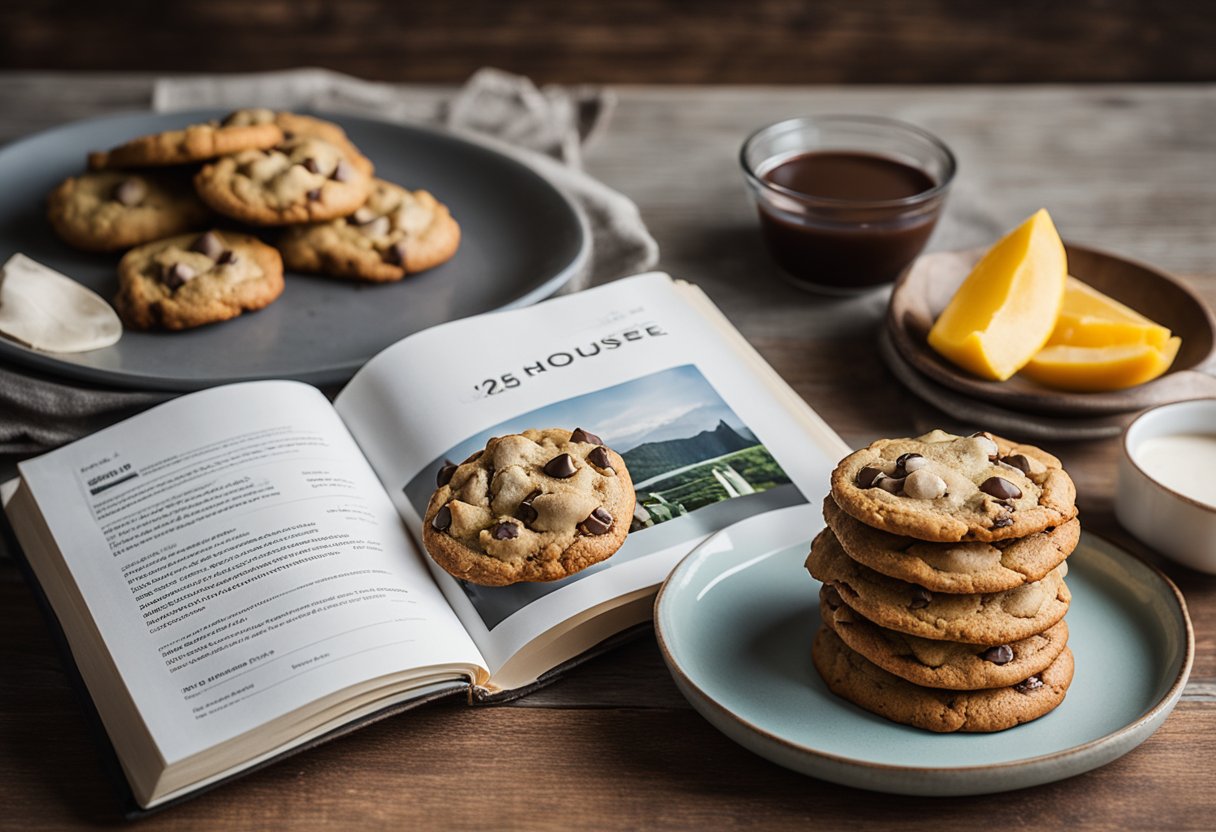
(109,211)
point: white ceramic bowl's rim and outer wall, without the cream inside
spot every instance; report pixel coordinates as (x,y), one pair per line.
(1161,516)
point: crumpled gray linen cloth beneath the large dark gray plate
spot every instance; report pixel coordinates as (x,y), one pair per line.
(542,128)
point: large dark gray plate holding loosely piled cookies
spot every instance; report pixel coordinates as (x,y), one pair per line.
(522,241)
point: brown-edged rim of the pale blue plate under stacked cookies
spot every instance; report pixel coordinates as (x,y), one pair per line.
(1159,710)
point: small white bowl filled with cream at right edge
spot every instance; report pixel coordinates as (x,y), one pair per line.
(1167,497)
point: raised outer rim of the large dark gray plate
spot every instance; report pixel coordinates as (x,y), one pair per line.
(330,374)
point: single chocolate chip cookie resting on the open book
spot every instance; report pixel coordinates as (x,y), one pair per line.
(539,505)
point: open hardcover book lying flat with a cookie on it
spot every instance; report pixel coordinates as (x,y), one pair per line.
(239,572)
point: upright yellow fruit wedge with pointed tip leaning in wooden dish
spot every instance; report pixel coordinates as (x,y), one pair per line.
(1006,310)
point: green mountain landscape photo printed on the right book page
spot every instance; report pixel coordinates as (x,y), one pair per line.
(696,469)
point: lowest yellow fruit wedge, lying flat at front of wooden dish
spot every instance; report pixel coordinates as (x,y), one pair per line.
(1099,369)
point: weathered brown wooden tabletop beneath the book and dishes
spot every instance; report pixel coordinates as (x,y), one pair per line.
(615,745)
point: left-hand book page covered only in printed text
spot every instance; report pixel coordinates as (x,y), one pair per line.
(241,561)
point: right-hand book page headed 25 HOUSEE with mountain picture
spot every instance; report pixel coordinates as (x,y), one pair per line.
(705,436)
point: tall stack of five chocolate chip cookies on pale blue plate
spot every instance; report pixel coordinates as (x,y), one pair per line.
(943,567)
